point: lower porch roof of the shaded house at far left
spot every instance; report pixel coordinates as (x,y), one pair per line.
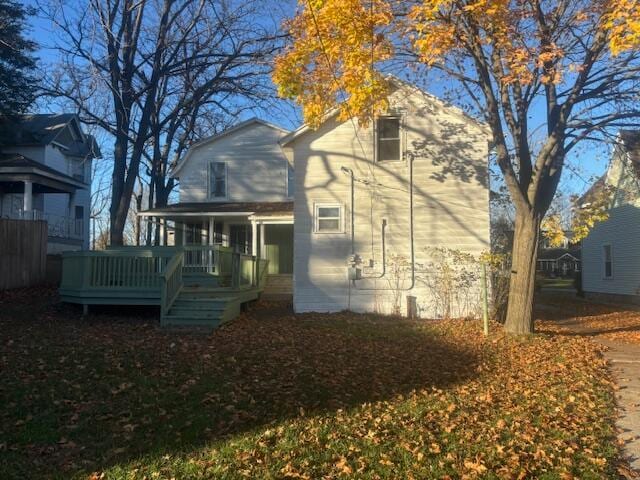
(15,167)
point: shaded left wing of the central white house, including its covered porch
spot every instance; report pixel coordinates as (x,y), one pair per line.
(236,190)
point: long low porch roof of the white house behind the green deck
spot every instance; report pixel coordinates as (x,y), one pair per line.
(262,209)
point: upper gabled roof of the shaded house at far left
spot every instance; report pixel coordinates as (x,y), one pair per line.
(44,129)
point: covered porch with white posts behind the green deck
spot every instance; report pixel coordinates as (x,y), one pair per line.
(262,230)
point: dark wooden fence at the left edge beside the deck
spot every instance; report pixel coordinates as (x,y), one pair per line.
(23,253)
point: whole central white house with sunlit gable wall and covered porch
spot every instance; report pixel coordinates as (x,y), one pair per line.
(413,180)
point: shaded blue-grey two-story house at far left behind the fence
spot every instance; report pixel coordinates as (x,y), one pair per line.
(45,174)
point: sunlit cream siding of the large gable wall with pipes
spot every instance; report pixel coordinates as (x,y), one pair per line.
(451,205)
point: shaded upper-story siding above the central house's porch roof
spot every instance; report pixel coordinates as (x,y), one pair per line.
(256,166)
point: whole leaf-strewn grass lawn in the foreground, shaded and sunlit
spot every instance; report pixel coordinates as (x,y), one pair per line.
(273,395)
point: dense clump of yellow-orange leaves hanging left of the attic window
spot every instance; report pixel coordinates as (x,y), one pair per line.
(331,60)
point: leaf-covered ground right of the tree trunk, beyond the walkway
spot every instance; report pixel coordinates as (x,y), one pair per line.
(568,315)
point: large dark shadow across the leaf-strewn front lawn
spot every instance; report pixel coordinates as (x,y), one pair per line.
(107,390)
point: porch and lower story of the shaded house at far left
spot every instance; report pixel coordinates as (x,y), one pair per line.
(23,184)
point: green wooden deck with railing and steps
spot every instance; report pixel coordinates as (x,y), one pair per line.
(192,285)
